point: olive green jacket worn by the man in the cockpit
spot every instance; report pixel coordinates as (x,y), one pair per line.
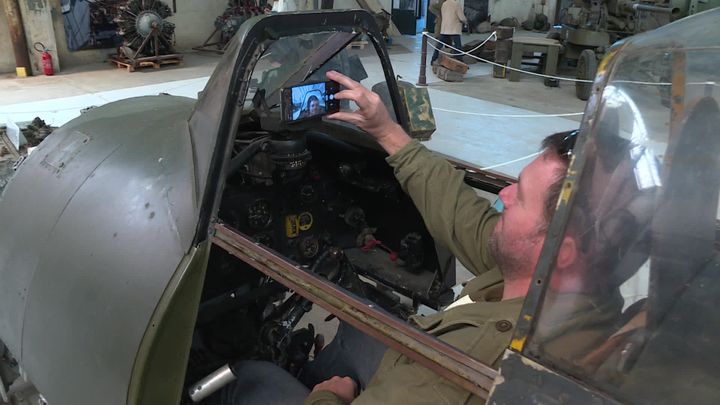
(457,218)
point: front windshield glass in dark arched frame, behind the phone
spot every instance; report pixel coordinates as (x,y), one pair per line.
(294,60)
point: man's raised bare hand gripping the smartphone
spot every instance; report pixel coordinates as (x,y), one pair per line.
(372,116)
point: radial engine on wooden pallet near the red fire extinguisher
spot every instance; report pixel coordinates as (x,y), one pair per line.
(147,35)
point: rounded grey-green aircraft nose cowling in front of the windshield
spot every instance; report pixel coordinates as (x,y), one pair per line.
(95,222)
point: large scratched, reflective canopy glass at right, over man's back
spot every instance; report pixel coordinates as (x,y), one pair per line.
(632,304)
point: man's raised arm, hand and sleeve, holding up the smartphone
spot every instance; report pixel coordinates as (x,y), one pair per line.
(455,216)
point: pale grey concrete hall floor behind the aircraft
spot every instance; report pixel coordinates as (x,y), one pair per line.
(499,134)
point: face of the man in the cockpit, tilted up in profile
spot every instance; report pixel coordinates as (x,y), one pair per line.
(519,234)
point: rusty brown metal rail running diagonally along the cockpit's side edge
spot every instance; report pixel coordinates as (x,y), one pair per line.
(441,358)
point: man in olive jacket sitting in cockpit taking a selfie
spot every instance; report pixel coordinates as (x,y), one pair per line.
(502,250)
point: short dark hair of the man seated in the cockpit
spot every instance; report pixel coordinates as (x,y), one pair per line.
(557,146)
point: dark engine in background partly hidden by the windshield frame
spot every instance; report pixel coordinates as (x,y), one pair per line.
(227,24)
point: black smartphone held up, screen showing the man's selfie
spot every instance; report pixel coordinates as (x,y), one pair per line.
(309,100)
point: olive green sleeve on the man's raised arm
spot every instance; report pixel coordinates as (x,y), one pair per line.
(453,213)
